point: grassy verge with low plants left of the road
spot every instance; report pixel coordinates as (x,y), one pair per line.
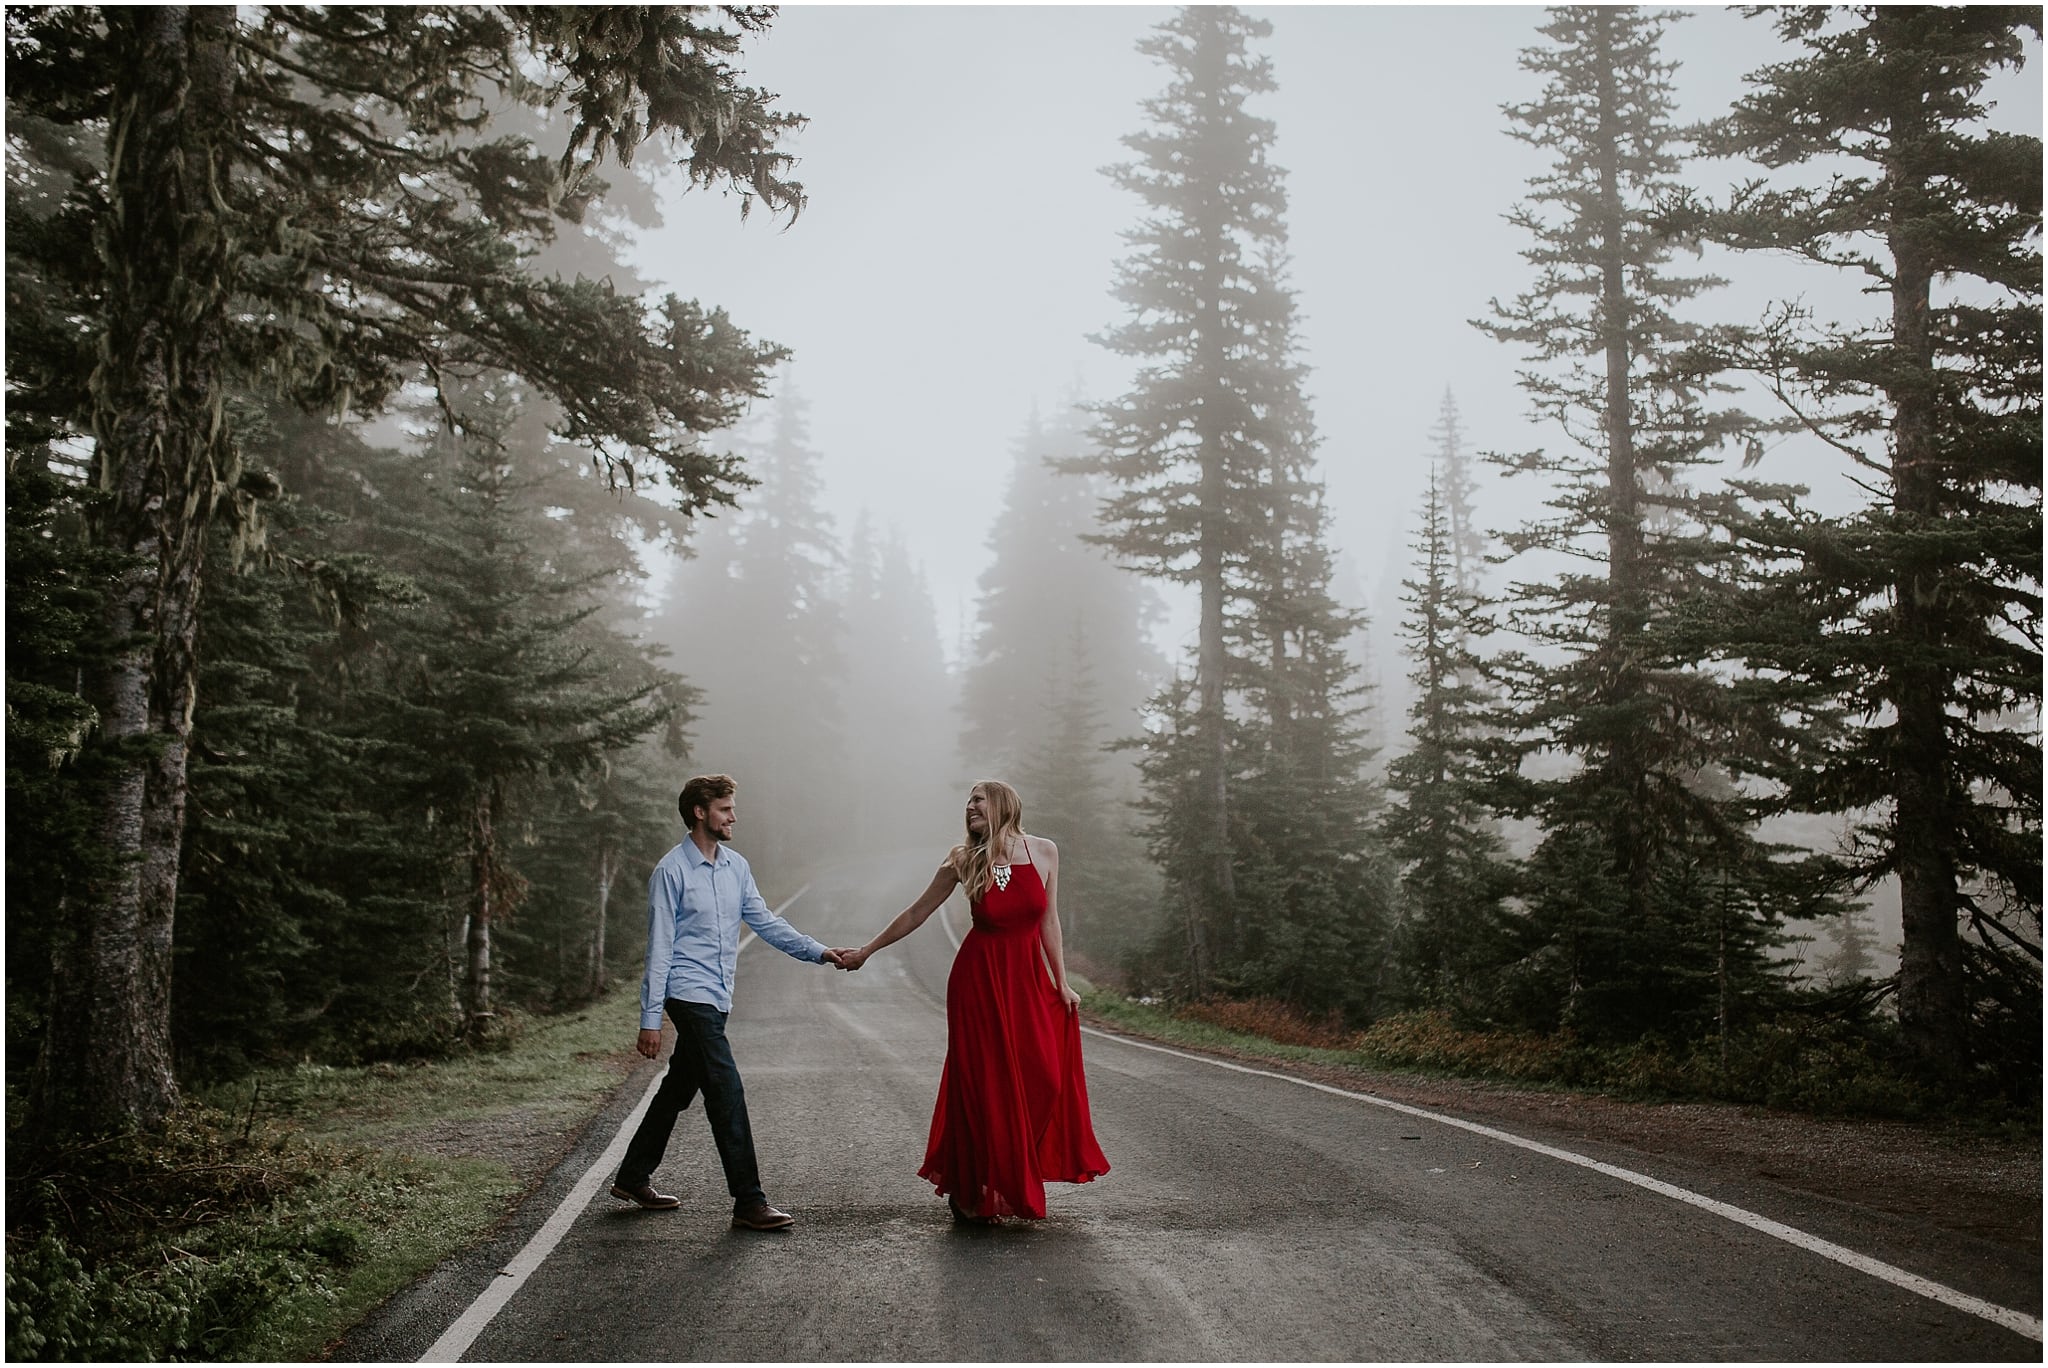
(364,1181)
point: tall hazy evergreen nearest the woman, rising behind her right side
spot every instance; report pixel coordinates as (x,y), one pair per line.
(1191,443)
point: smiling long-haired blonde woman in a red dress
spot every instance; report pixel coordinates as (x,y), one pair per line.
(1013,1105)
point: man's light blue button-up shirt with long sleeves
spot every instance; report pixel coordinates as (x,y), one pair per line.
(695,908)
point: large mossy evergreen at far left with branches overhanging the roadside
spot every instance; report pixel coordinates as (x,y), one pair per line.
(222,243)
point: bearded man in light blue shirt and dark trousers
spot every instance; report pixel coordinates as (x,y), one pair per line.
(697,898)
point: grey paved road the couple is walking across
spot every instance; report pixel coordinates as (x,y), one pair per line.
(1246,1220)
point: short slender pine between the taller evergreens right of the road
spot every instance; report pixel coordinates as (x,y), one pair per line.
(1441,828)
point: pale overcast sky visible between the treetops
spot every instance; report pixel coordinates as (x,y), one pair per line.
(959,243)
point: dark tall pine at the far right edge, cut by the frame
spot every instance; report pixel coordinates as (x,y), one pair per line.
(1922,611)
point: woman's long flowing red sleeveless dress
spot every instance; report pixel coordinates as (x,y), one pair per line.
(1013,1105)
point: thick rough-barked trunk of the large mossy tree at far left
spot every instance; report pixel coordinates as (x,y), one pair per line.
(165,464)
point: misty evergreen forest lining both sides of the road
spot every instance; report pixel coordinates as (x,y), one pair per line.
(382,554)
